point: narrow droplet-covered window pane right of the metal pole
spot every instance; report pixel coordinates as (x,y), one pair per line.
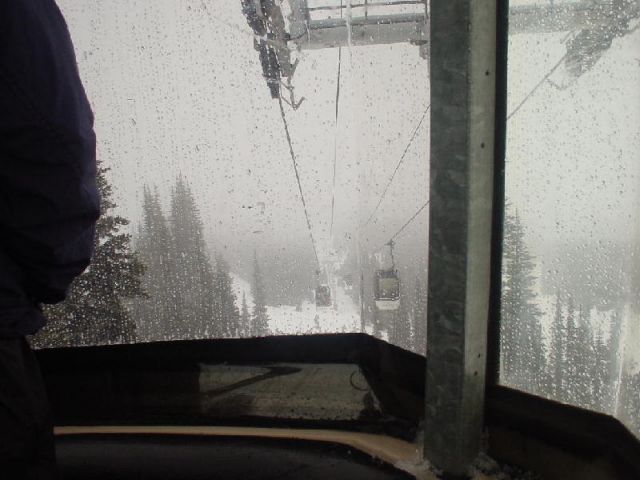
(571,265)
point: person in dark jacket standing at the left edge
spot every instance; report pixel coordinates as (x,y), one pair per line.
(49,204)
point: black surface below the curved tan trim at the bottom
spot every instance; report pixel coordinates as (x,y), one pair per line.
(129,457)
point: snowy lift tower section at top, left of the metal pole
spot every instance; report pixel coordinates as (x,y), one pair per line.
(282,27)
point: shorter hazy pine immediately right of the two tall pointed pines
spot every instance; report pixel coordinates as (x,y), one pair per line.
(226,315)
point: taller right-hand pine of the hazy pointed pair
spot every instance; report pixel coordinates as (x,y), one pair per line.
(194,275)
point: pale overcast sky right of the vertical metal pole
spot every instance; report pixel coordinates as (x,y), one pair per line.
(573,155)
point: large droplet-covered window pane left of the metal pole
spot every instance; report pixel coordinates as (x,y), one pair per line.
(204,232)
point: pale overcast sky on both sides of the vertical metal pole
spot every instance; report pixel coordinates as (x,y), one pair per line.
(178,89)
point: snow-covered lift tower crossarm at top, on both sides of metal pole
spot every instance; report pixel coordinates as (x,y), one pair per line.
(281,27)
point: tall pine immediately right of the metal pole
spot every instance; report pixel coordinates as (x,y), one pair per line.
(523,356)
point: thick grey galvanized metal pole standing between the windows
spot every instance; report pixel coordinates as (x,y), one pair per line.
(463,65)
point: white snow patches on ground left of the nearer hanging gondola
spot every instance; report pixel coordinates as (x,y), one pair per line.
(342,317)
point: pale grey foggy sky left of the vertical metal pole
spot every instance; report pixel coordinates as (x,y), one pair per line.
(178,90)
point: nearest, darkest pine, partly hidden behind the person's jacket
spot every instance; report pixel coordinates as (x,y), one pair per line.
(96,310)
